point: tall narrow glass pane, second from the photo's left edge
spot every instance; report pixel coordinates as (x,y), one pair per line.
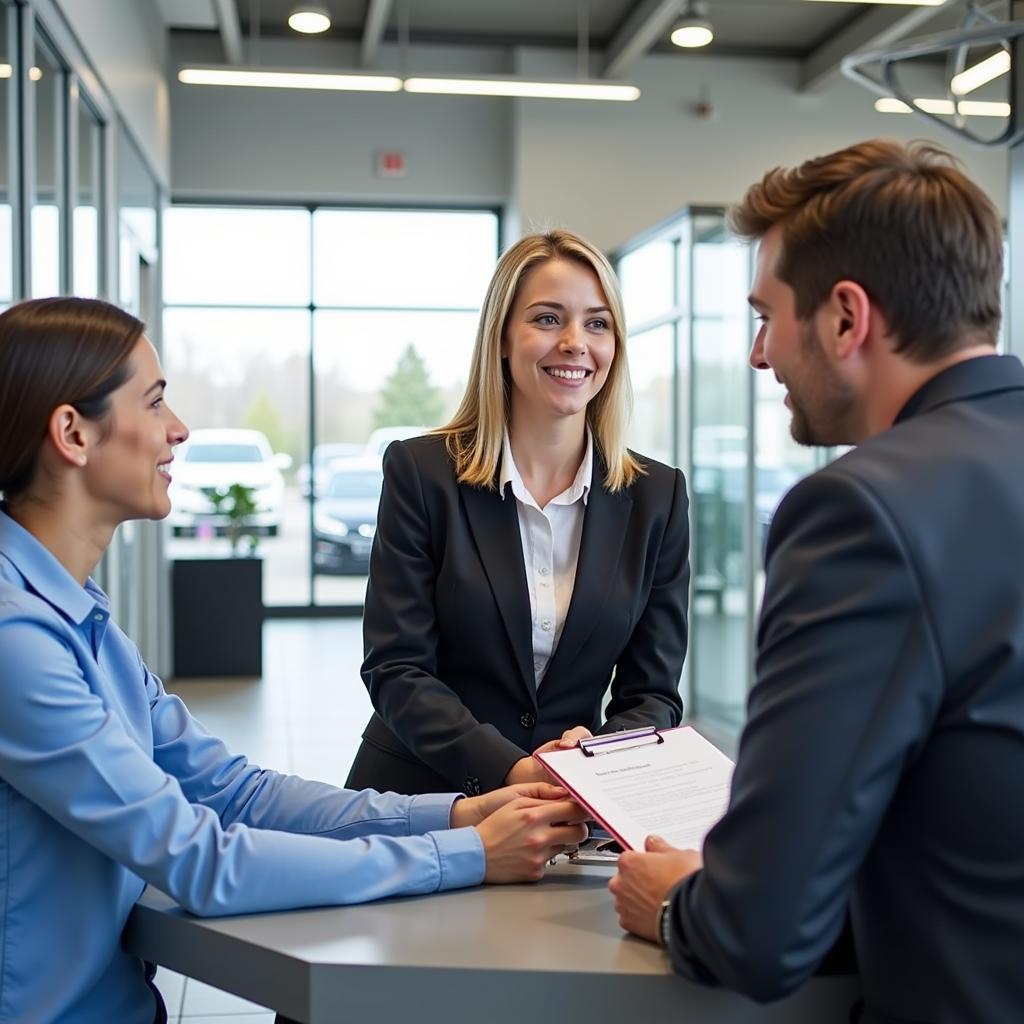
(48,210)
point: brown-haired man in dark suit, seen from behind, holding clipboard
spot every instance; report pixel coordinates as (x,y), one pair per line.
(879,776)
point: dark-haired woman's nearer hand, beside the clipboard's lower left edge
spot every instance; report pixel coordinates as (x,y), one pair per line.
(522,837)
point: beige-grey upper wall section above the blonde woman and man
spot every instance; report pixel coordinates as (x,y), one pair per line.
(613,170)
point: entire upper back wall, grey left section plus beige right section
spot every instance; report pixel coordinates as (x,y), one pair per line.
(609,170)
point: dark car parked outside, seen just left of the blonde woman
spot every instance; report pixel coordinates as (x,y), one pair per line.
(346,517)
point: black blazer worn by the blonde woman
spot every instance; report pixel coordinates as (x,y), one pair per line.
(448,634)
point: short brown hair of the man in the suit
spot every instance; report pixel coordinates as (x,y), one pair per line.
(905,223)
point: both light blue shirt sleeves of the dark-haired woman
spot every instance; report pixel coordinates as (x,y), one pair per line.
(65,750)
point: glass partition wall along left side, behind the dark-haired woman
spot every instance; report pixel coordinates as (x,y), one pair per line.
(61,154)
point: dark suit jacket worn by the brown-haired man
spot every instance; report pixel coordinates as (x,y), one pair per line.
(882,765)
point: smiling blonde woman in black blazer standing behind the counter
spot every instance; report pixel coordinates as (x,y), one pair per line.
(525,561)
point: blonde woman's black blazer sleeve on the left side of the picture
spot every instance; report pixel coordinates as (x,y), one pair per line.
(401,644)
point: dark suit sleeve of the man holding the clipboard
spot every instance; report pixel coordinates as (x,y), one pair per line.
(849,681)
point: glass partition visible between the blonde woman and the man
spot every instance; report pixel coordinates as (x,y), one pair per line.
(701,407)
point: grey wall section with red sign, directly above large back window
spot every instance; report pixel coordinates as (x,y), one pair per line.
(262,144)
